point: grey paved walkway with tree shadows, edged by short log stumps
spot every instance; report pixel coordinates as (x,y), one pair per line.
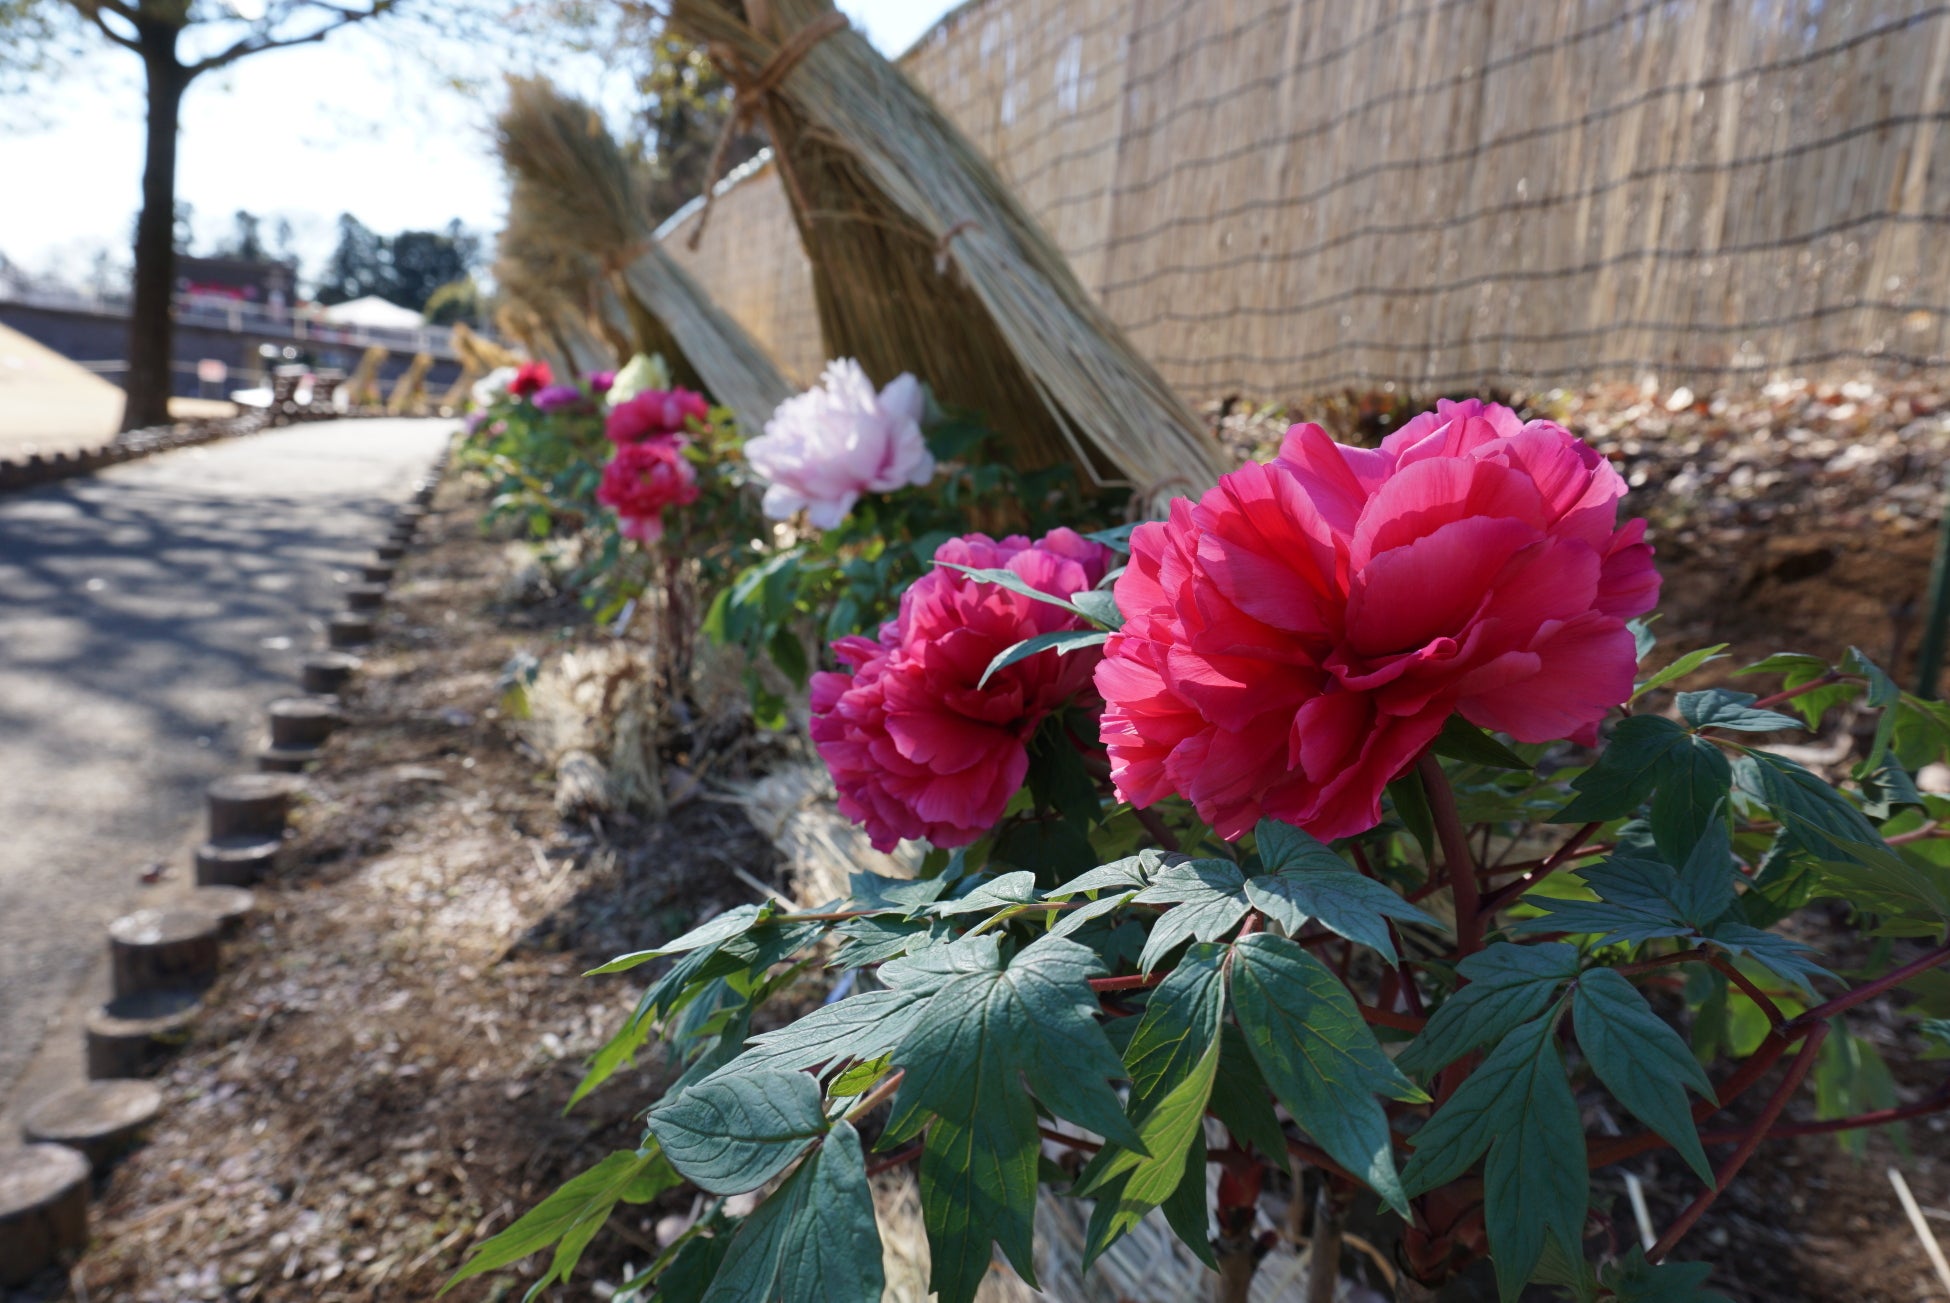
(147,615)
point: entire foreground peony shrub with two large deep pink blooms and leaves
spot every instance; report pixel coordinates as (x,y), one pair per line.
(1417,885)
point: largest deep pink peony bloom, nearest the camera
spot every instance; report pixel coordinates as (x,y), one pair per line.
(1298,637)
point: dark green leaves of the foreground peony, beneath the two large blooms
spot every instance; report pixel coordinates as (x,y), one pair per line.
(1159,1002)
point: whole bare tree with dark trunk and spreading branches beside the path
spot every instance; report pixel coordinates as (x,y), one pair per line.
(178,42)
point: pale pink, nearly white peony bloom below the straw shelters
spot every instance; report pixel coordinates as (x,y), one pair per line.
(839,440)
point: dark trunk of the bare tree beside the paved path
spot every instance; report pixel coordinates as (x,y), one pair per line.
(151,327)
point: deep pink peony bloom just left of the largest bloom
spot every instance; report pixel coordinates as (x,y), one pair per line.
(916,748)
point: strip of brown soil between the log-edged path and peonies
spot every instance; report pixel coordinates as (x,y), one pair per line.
(383,1072)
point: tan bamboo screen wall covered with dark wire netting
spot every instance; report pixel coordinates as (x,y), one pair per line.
(1286,196)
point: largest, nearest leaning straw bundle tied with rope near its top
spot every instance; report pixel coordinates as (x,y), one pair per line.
(890,194)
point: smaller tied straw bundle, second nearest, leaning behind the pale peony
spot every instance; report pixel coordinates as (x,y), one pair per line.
(580,186)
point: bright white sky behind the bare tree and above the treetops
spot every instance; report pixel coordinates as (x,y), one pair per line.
(307,134)
